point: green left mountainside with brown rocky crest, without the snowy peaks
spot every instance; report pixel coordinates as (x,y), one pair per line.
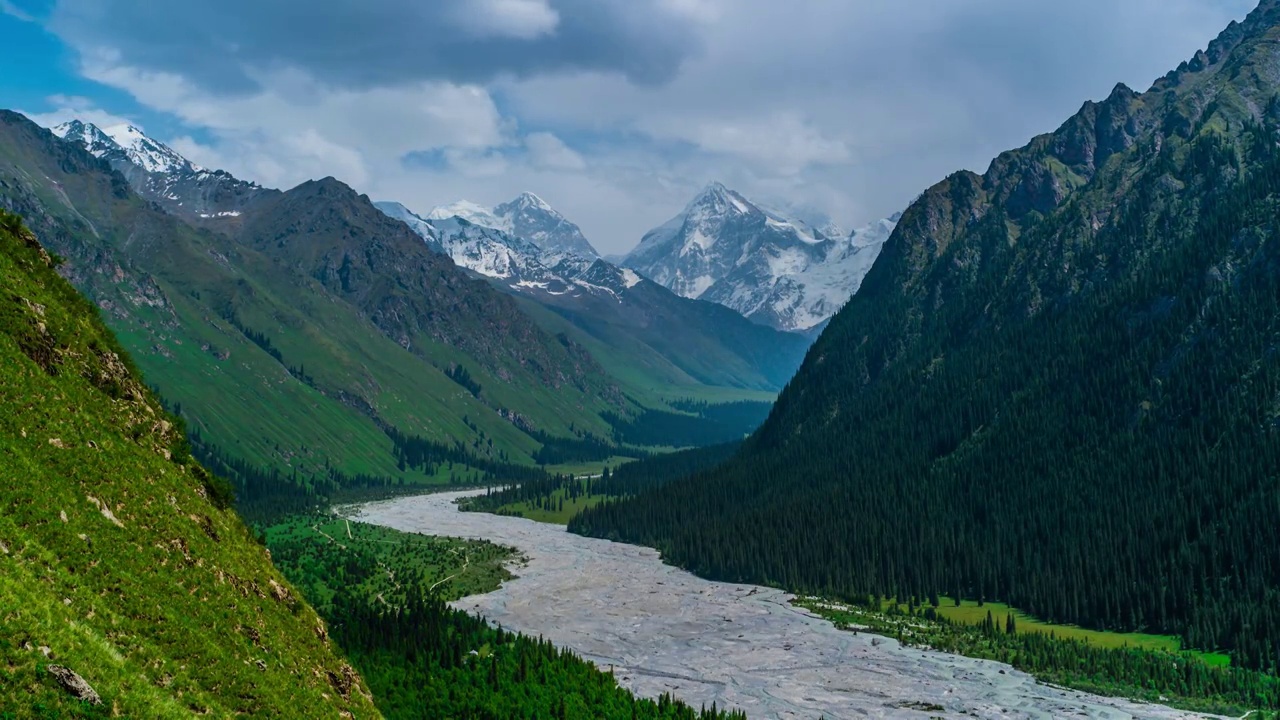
(308,331)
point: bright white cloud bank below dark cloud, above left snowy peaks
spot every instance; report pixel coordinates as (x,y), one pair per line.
(296,129)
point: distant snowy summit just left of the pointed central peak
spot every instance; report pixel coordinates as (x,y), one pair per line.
(529,218)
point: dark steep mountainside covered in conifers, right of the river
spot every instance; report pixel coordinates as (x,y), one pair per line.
(1058,388)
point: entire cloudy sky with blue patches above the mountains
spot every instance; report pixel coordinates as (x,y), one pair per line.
(616,112)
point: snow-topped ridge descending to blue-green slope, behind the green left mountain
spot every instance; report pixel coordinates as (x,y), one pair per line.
(651,339)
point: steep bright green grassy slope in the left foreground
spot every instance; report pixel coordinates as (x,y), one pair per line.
(120,559)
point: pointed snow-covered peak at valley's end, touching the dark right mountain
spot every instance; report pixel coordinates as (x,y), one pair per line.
(774,270)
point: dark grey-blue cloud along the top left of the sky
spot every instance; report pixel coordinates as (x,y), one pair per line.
(377,43)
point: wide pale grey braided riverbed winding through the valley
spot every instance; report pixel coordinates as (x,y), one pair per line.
(662,630)
